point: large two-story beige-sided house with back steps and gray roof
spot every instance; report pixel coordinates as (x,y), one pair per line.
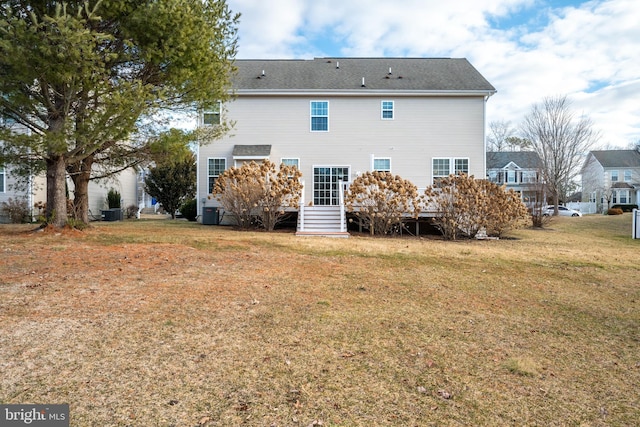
(335,118)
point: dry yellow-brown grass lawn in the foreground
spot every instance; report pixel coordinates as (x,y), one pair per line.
(170,323)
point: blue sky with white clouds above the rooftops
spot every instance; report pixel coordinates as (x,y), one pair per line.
(528,49)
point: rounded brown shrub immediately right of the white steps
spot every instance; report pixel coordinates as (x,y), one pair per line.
(381,201)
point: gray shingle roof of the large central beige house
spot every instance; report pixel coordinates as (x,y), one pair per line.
(336,74)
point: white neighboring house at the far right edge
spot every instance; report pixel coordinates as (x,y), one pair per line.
(611,177)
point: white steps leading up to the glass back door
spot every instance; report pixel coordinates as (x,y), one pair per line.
(326,221)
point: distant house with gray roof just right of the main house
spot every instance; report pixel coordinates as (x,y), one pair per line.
(519,171)
